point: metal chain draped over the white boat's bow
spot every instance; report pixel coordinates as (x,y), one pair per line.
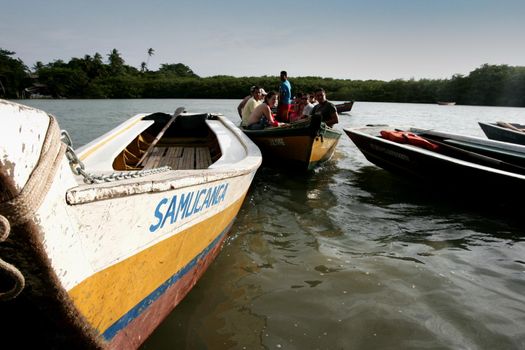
(78,168)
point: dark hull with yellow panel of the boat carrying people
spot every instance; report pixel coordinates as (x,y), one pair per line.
(301,145)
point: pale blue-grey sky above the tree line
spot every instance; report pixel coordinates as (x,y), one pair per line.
(343,39)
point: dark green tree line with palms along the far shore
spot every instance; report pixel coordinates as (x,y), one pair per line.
(96,77)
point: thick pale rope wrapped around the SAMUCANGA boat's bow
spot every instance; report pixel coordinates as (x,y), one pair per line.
(21,208)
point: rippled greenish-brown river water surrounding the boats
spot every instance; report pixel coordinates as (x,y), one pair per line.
(348,256)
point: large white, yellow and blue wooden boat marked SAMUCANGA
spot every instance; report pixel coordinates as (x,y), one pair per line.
(99,259)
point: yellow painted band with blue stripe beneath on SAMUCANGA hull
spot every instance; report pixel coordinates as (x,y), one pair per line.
(138,275)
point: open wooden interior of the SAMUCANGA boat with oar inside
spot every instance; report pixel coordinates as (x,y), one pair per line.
(188,143)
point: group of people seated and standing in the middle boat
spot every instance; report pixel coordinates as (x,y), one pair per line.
(263,109)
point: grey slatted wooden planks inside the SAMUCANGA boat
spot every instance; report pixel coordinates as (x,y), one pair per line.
(178,158)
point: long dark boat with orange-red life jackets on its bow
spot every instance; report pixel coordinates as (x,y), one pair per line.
(463,163)
